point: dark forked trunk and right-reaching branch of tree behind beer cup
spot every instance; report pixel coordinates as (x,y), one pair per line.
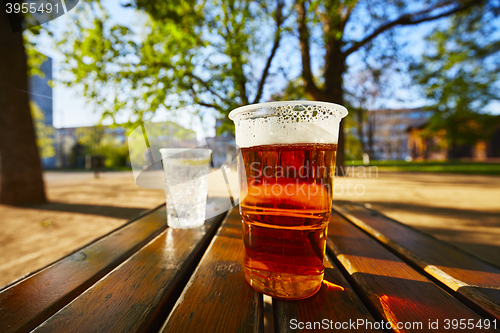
(334,17)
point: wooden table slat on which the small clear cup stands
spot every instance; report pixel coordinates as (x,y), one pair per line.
(137,295)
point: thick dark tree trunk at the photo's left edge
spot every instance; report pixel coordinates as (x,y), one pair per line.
(21,180)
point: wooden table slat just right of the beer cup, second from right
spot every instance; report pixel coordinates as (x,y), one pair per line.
(397,292)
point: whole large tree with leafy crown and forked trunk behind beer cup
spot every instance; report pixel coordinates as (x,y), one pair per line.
(208,52)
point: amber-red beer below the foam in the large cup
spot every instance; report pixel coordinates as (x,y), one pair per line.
(285,210)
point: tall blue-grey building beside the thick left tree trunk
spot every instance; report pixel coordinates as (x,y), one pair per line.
(41,94)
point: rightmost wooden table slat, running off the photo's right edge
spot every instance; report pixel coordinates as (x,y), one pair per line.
(471,278)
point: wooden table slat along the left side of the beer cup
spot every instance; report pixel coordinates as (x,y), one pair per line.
(217,298)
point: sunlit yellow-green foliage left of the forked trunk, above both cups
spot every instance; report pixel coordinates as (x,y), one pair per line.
(186,53)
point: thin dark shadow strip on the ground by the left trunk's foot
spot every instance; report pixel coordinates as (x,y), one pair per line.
(108,211)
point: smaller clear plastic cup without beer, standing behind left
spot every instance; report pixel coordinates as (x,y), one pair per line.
(186,172)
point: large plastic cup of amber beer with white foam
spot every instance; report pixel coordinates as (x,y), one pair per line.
(286,169)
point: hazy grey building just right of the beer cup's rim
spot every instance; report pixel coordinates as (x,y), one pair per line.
(386,132)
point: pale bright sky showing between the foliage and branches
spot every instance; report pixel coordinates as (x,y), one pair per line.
(71,109)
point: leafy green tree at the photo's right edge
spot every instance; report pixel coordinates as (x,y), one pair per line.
(460,77)
